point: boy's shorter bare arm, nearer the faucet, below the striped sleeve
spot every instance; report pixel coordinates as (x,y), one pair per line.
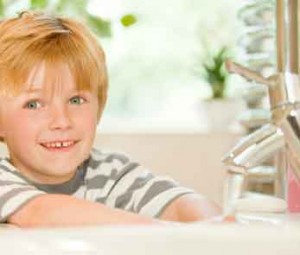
(190,207)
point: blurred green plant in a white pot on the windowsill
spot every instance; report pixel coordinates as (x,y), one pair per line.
(220,109)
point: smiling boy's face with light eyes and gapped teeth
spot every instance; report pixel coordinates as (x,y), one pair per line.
(49,127)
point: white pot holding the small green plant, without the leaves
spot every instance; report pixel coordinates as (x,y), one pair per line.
(221,114)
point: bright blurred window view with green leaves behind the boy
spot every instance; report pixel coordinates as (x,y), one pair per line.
(153,48)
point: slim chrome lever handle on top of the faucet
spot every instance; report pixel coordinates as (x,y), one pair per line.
(247,73)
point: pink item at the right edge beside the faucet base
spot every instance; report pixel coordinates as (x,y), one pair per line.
(293,193)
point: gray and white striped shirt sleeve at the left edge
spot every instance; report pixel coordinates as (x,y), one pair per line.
(14,191)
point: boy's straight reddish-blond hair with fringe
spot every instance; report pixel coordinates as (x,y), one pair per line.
(32,38)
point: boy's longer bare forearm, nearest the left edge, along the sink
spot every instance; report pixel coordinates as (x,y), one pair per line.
(51,210)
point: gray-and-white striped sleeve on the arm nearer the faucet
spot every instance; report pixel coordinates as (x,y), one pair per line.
(138,190)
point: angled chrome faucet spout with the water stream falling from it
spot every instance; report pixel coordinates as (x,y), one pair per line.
(248,153)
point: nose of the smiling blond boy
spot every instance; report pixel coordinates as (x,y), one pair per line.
(60,118)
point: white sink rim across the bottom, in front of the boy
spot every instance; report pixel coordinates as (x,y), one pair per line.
(278,236)
